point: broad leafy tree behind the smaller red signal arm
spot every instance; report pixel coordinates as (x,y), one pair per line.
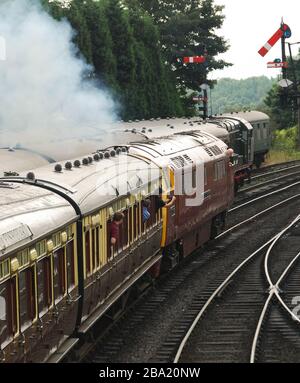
(187,27)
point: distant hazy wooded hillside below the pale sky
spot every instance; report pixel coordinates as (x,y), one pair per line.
(231,95)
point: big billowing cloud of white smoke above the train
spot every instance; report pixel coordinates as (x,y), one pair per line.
(43,97)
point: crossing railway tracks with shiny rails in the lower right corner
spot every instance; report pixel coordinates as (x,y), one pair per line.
(250,301)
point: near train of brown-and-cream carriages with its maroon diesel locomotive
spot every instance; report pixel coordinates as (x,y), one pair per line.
(58,272)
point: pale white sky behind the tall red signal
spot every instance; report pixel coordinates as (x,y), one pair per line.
(248,26)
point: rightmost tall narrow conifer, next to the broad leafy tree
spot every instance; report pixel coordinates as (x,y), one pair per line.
(156,91)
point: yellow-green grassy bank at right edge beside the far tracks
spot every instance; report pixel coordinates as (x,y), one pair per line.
(283,147)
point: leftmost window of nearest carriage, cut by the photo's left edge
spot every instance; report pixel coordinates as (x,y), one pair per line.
(8,310)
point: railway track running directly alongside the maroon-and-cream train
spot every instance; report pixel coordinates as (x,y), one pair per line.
(144,334)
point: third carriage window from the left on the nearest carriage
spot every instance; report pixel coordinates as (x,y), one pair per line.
(44,284)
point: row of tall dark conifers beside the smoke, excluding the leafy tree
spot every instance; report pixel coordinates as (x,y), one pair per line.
(123,46)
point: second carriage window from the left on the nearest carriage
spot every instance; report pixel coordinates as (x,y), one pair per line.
(27,296)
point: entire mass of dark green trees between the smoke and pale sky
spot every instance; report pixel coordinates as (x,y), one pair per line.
(134,45)
